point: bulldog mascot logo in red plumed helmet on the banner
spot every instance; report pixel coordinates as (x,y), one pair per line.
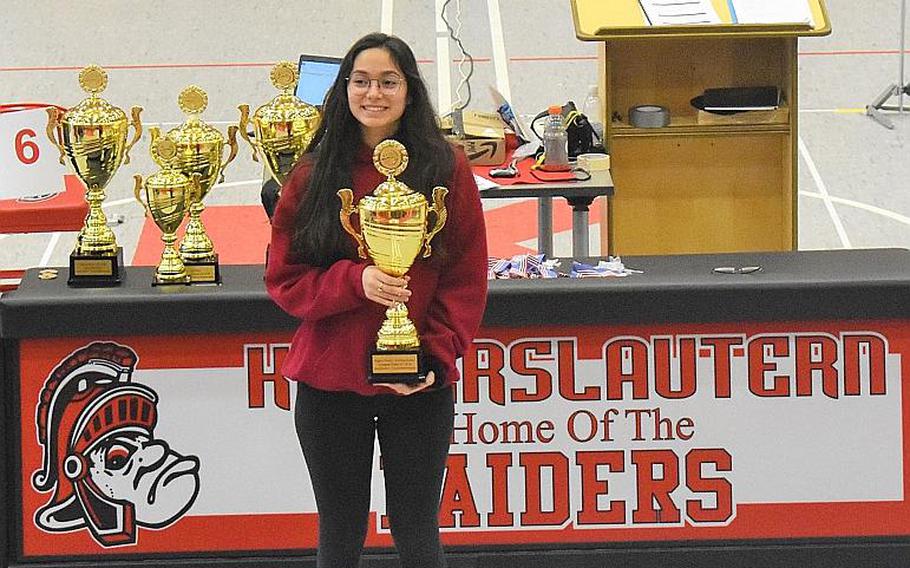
(101,459)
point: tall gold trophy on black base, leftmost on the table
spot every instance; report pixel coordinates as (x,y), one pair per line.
(93,136)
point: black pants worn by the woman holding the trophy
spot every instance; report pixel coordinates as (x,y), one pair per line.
(336,432)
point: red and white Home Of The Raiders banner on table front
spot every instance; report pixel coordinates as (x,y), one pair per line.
(564,435)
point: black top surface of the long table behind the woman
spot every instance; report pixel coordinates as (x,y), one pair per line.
(848,284)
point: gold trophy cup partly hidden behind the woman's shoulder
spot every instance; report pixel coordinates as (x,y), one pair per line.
(282,128)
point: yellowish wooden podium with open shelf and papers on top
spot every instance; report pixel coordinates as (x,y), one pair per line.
(704,183)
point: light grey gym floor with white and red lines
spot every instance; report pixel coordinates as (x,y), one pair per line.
(853,172)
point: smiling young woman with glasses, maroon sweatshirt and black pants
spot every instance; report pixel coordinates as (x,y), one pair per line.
(315,275)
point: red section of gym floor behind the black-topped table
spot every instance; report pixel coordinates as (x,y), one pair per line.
(241,232)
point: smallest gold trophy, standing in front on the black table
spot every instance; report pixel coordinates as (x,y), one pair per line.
(168,195)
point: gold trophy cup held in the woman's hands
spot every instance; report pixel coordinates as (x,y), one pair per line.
(393,230)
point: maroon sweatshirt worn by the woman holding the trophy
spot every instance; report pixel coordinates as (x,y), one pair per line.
(338,324)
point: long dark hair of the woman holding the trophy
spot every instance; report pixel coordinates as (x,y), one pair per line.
(319,239)
